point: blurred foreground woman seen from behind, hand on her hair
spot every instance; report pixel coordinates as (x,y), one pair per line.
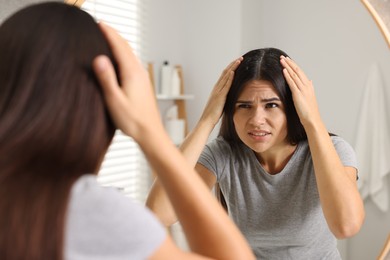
(60,102)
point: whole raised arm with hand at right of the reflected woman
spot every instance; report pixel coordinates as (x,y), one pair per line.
(341,203)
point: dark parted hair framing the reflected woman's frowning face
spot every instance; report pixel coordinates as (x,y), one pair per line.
(261,64)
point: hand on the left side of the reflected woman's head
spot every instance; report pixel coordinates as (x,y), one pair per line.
(216,102)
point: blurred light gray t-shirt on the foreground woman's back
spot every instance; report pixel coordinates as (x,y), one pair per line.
(103,224)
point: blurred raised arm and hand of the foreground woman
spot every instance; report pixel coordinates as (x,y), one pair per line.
(133,107)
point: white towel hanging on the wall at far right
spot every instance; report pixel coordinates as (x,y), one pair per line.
(372,144)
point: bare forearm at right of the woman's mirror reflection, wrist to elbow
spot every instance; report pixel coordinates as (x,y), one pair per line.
(340,199)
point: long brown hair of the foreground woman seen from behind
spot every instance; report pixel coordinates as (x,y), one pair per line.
(54,126)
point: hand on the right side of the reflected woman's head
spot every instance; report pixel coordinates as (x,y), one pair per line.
(302,91)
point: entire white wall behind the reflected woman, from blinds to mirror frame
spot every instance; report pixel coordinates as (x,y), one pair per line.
(334,41)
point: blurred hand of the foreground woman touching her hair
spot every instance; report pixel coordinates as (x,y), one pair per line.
(129,99)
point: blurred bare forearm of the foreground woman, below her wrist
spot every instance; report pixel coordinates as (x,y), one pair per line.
(196,208)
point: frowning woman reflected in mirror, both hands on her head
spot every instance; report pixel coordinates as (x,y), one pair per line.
(288,185)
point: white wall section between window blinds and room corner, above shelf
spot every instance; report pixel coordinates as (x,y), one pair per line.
(203,36)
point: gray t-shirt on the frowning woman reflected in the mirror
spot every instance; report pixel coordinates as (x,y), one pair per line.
(280,215)
